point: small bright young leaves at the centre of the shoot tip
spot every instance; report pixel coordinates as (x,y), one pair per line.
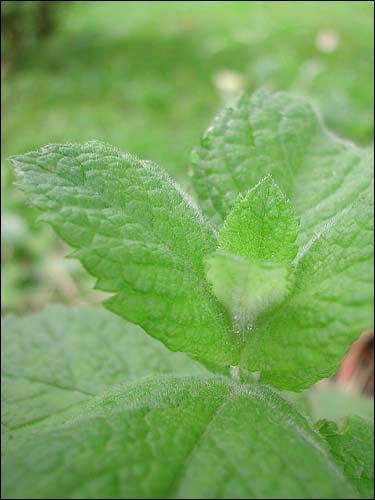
(260,232)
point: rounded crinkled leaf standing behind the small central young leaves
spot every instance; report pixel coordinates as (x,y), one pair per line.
(278,134)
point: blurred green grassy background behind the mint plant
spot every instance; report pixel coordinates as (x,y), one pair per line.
(148,77)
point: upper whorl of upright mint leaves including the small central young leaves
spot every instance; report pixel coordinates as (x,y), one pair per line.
(278,287)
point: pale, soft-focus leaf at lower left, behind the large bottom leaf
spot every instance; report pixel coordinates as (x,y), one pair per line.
(55,360)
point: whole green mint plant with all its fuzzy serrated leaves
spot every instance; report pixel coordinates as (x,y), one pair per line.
(259,291)
